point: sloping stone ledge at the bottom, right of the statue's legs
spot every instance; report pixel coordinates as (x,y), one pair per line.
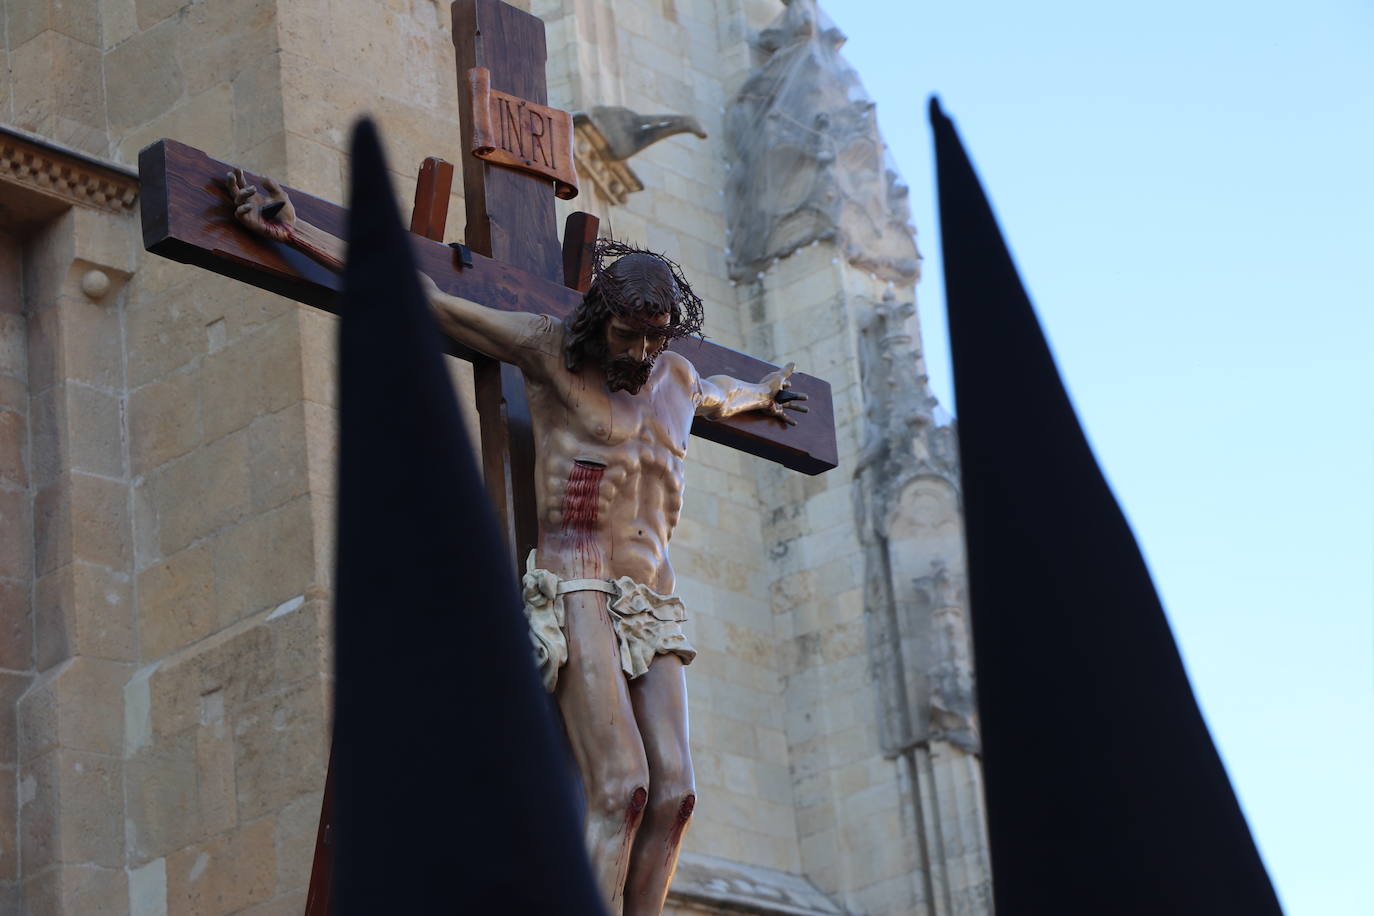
(725,886)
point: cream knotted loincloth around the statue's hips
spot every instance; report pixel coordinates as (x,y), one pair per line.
(646,624)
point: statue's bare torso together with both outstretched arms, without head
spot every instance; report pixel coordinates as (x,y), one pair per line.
(609,465)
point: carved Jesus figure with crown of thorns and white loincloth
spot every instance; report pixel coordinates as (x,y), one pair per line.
(612,409)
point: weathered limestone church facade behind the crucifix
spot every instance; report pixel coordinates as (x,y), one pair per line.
(168,444)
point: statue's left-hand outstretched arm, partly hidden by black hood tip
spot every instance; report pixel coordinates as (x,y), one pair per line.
(512,337)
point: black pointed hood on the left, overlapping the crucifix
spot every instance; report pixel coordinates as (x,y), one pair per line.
(451,790)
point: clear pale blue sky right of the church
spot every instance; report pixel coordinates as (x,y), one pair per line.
(1189,193)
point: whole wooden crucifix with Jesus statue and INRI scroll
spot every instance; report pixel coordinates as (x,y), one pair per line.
(586,396)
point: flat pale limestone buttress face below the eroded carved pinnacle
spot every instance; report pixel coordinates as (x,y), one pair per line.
(859,843)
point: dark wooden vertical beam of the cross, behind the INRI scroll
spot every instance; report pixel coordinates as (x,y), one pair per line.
(510,218)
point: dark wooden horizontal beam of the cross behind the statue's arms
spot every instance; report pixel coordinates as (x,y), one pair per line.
(188,218)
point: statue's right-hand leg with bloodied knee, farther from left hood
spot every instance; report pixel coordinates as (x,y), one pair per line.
(660,700)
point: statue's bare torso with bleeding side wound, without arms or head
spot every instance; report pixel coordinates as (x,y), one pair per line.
(609,469)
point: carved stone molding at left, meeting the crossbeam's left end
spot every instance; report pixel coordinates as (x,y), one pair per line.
(74,178)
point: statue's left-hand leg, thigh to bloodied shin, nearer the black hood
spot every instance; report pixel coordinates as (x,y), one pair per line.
(597,712)
